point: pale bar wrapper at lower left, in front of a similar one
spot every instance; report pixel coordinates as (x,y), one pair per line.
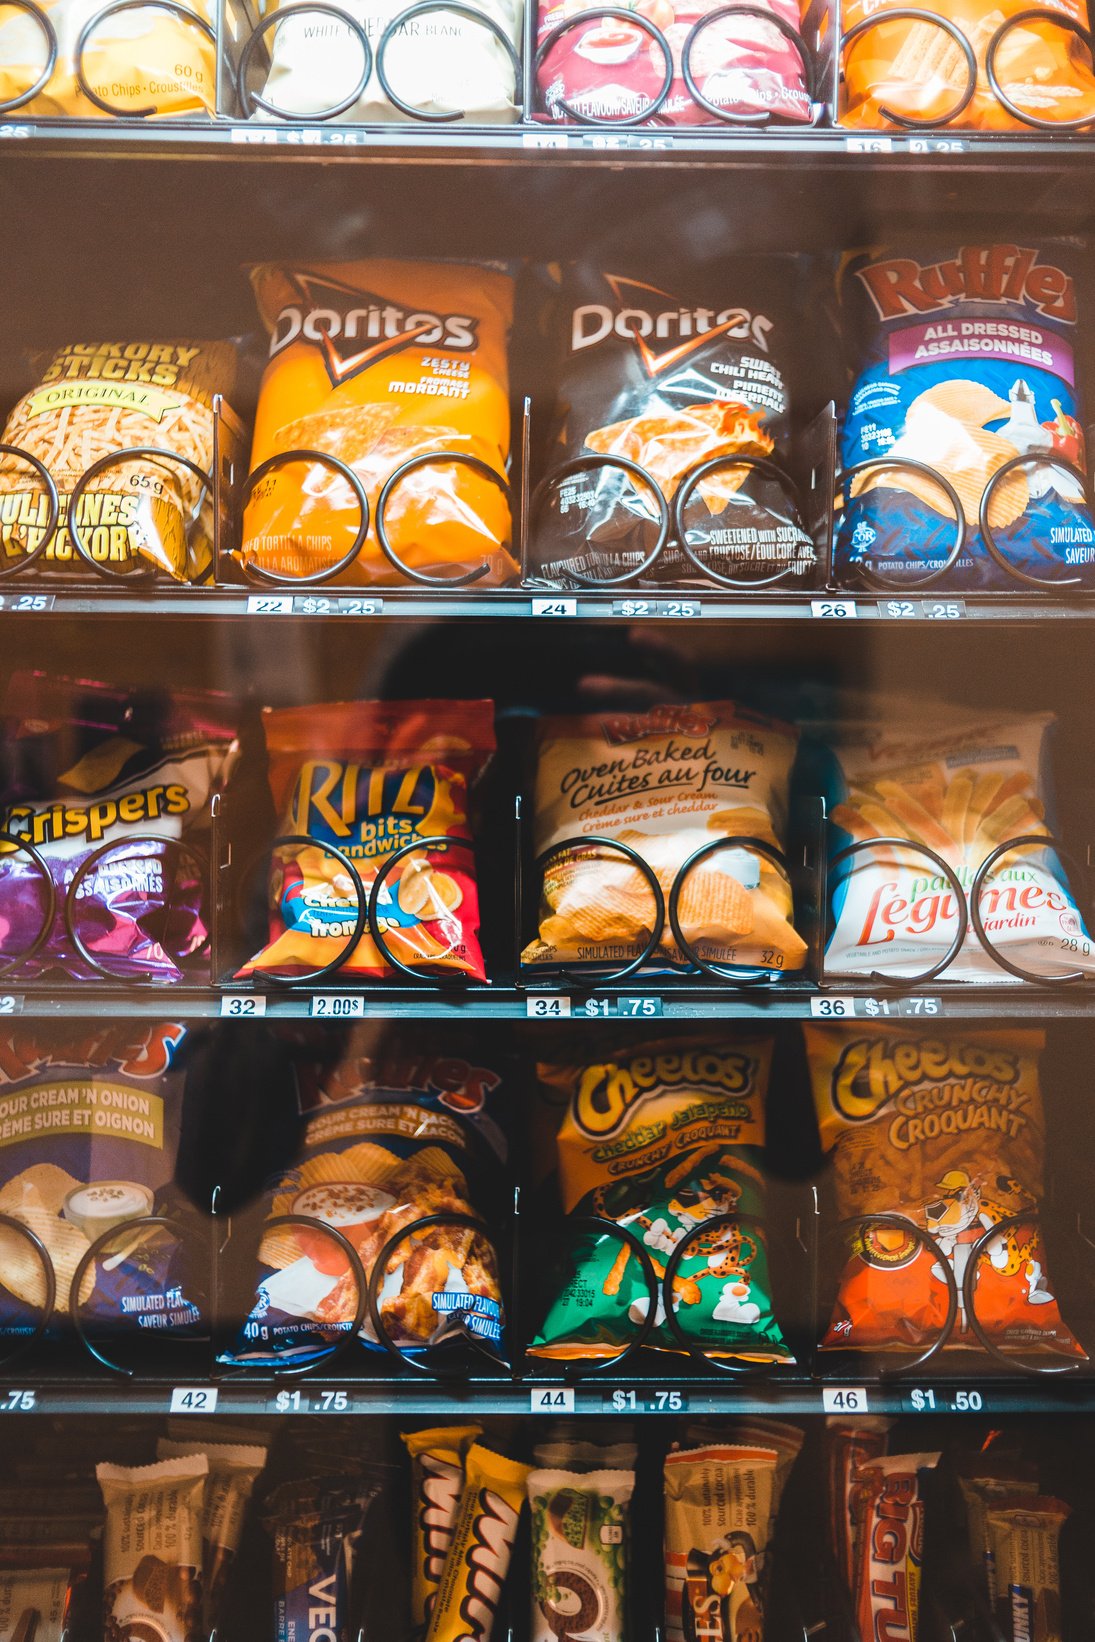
(153,1551)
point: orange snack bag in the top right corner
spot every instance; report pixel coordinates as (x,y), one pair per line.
(919,71)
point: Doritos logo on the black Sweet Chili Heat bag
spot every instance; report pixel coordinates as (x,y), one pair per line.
(664,333)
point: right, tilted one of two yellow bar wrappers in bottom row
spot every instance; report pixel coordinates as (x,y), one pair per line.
(483,1543)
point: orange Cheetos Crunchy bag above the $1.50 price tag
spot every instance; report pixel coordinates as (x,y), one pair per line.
(946,1132)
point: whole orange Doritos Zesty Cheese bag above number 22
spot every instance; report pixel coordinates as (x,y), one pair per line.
(377,364)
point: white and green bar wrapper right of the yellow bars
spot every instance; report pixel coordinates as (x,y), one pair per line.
(580,1554)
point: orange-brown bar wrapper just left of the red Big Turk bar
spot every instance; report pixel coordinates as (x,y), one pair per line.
(722,1503)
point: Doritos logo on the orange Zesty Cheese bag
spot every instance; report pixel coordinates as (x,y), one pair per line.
(355,329)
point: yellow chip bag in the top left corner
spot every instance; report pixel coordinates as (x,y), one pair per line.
(140,63)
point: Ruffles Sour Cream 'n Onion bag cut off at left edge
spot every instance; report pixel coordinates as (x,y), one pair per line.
(89,1137)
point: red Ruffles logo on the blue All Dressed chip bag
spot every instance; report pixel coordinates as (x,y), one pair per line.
(996,273)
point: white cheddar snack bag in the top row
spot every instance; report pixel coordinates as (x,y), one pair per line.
(441,63)
